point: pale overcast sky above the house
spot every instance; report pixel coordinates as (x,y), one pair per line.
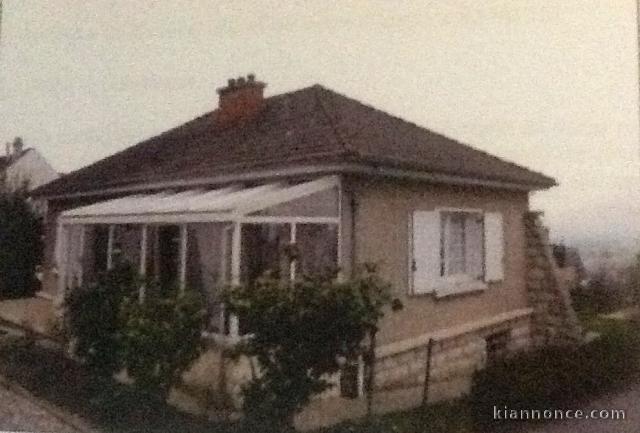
(550,84)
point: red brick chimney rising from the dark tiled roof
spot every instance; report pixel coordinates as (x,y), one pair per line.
(241,100)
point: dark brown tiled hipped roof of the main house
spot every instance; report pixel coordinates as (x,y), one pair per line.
(313,125)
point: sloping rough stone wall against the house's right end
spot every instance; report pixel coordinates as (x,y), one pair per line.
(554,321)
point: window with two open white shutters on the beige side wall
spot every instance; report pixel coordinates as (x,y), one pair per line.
(455,251)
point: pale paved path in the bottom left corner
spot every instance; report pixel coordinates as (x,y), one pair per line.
(24,413)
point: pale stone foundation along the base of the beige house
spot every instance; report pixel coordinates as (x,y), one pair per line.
(212,386)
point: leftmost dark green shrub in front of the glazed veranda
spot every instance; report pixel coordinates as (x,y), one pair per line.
(92,318)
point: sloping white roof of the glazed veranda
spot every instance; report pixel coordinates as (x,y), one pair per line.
(226,204)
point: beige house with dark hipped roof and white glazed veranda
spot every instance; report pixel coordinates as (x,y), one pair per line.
(219,198)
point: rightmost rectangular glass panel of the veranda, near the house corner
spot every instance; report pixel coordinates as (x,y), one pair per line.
(318,247)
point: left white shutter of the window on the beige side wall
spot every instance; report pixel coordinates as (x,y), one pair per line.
(426,251)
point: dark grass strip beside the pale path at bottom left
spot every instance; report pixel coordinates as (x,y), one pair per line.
(105,404)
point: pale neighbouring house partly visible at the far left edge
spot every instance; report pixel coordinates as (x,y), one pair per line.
(22,167)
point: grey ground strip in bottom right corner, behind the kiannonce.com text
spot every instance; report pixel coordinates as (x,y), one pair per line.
(628,400)
